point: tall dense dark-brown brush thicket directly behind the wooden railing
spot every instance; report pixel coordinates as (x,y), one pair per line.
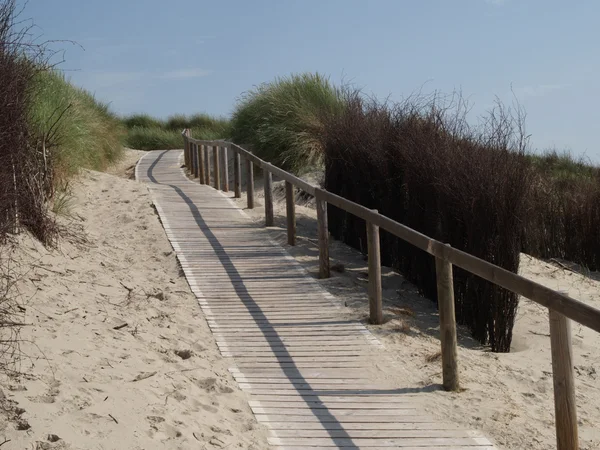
(420,164)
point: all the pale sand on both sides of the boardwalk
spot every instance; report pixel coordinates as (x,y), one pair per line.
(115,309)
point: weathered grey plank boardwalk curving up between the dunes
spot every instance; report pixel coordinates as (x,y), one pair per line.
(310,374)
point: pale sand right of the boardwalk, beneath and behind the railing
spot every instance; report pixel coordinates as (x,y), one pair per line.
(507,396)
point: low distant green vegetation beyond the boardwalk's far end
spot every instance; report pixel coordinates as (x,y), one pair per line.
(148,133)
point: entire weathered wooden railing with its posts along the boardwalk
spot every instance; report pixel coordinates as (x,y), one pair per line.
(561,306)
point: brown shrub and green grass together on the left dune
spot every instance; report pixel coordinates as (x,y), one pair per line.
(50,129)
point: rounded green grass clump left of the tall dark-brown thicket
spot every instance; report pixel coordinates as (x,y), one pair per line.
(283,120)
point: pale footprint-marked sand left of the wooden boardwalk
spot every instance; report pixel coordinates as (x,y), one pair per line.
(116,353)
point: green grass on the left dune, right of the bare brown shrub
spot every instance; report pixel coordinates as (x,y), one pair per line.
(76,130)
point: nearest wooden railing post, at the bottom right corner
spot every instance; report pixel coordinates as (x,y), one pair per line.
(564,383)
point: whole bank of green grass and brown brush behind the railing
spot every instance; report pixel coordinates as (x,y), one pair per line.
(420,163)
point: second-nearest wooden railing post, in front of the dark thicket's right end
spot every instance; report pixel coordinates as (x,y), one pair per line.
(445,291)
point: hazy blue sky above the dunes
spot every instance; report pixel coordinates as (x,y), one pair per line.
(186,56)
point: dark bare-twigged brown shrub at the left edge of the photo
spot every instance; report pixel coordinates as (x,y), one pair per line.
(24,178)
